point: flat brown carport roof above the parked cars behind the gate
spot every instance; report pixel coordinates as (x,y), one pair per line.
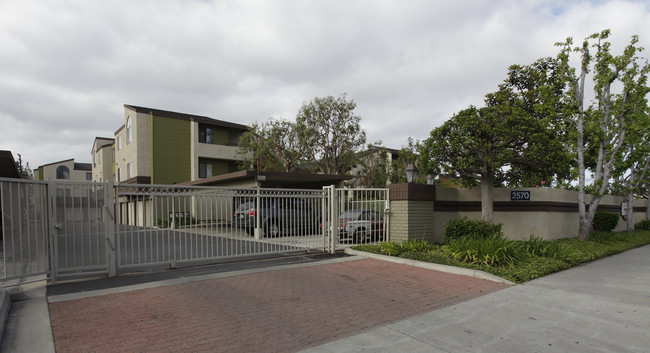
(273,179)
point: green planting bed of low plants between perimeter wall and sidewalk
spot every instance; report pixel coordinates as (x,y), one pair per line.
(518,261)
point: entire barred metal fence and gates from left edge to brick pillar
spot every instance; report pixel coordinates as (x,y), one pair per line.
(79,229)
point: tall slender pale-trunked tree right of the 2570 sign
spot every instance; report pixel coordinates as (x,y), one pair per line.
(602,126)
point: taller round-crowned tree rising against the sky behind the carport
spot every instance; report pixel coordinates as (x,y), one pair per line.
(331,134)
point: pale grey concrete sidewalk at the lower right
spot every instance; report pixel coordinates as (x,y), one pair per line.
(603,306)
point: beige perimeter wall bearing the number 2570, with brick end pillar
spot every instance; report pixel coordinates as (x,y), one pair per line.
(419,219)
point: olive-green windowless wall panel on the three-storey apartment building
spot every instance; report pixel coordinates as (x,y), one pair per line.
(170,151)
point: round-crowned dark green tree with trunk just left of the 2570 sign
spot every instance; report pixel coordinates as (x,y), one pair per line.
(477,144)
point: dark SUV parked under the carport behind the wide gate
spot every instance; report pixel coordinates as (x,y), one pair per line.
(278,216)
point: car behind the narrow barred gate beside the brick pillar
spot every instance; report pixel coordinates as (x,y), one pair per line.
(361,225)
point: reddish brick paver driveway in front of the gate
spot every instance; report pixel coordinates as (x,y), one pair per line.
(283,310)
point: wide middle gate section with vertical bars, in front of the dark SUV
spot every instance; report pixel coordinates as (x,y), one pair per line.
(169,225)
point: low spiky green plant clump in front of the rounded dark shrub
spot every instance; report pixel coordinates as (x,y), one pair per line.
(493,251)
